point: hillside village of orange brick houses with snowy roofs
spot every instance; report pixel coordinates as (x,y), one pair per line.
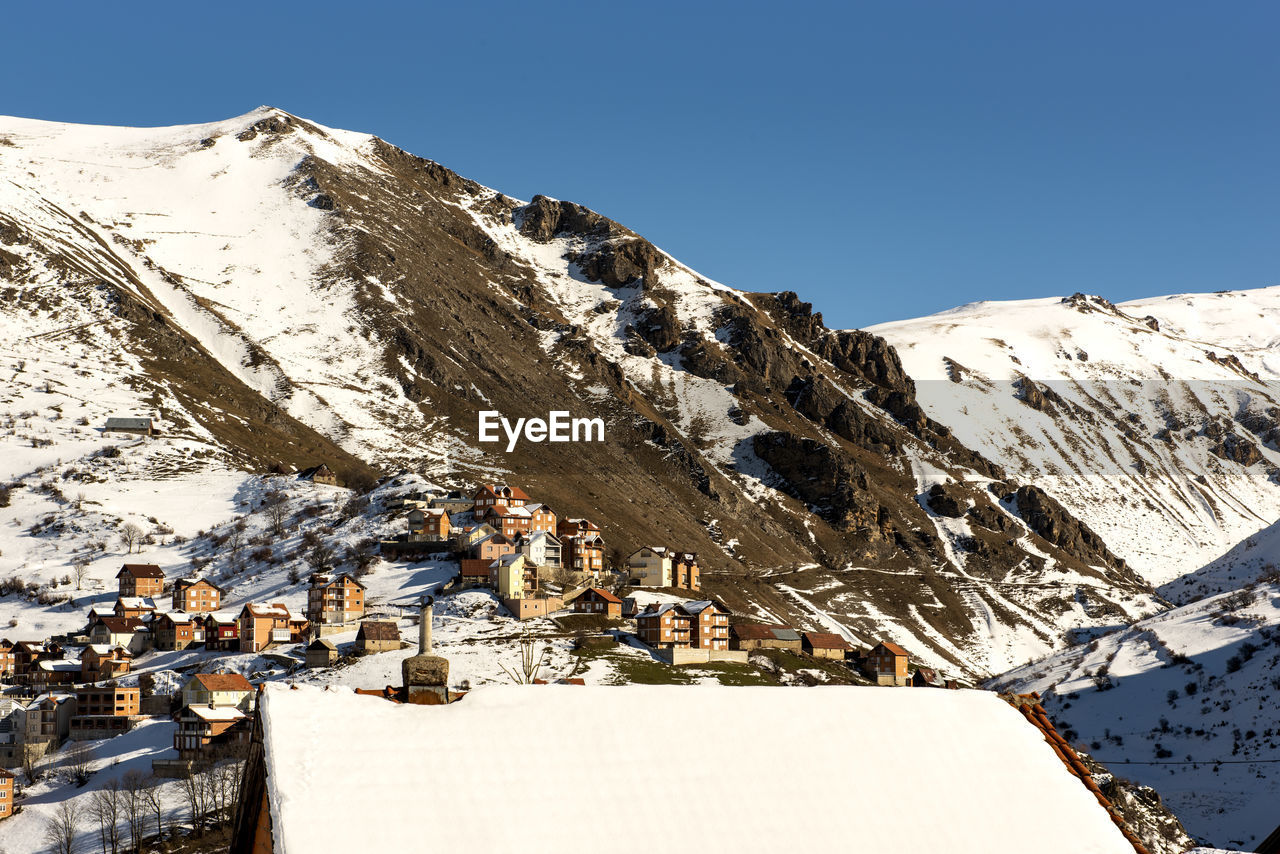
(537,567)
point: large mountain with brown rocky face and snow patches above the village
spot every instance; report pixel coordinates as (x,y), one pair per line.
(273,290)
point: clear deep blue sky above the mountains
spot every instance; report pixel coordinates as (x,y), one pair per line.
(883,159)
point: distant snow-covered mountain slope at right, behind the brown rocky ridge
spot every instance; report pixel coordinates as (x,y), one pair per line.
(1156,422)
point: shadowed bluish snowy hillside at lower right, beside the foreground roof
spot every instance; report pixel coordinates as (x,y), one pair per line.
(1182,702)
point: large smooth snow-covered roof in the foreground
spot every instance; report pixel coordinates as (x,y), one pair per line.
(880,770)
